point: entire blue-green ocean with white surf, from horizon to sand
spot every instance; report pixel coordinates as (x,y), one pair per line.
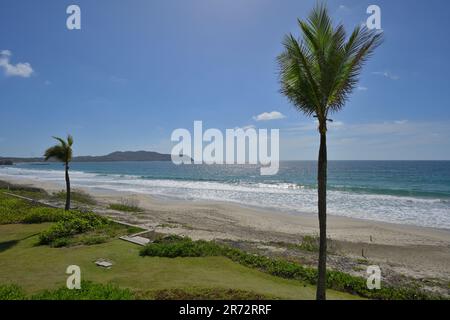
(406,192)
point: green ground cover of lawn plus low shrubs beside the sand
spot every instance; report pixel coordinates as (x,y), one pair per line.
(177,264)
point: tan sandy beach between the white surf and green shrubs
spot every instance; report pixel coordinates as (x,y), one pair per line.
(403,252)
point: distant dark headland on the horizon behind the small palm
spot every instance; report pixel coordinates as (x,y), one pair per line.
(115,156)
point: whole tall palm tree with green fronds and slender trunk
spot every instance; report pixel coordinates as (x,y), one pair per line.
(318,73)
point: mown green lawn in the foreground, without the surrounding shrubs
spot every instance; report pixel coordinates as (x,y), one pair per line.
(35,268)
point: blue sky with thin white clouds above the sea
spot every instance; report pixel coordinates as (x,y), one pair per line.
(140,69)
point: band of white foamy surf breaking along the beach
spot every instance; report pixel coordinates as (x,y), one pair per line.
(281,196)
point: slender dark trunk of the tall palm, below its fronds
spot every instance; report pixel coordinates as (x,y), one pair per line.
(322,204)
